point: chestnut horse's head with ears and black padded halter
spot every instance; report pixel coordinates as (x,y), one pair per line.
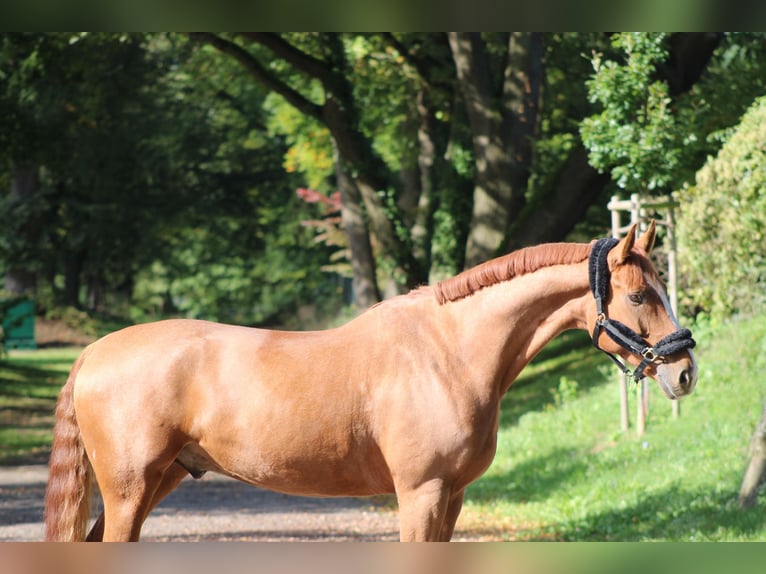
(633,317)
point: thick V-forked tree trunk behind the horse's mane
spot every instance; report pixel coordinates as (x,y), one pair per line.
(503,125)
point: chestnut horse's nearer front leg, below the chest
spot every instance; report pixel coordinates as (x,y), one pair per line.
(422,511)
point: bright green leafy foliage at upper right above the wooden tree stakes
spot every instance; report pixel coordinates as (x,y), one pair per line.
(648,142)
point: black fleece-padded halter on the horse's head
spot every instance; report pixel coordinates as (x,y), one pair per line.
(620,333)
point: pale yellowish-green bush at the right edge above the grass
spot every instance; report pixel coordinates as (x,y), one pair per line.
(722,224)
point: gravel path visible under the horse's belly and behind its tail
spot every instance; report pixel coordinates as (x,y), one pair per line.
(214,508)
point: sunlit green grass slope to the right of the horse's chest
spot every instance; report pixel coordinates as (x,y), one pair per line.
(564,471)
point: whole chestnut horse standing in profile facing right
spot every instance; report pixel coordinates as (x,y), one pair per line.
(403,399)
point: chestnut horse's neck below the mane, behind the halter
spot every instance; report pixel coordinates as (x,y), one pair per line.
(504,326)
